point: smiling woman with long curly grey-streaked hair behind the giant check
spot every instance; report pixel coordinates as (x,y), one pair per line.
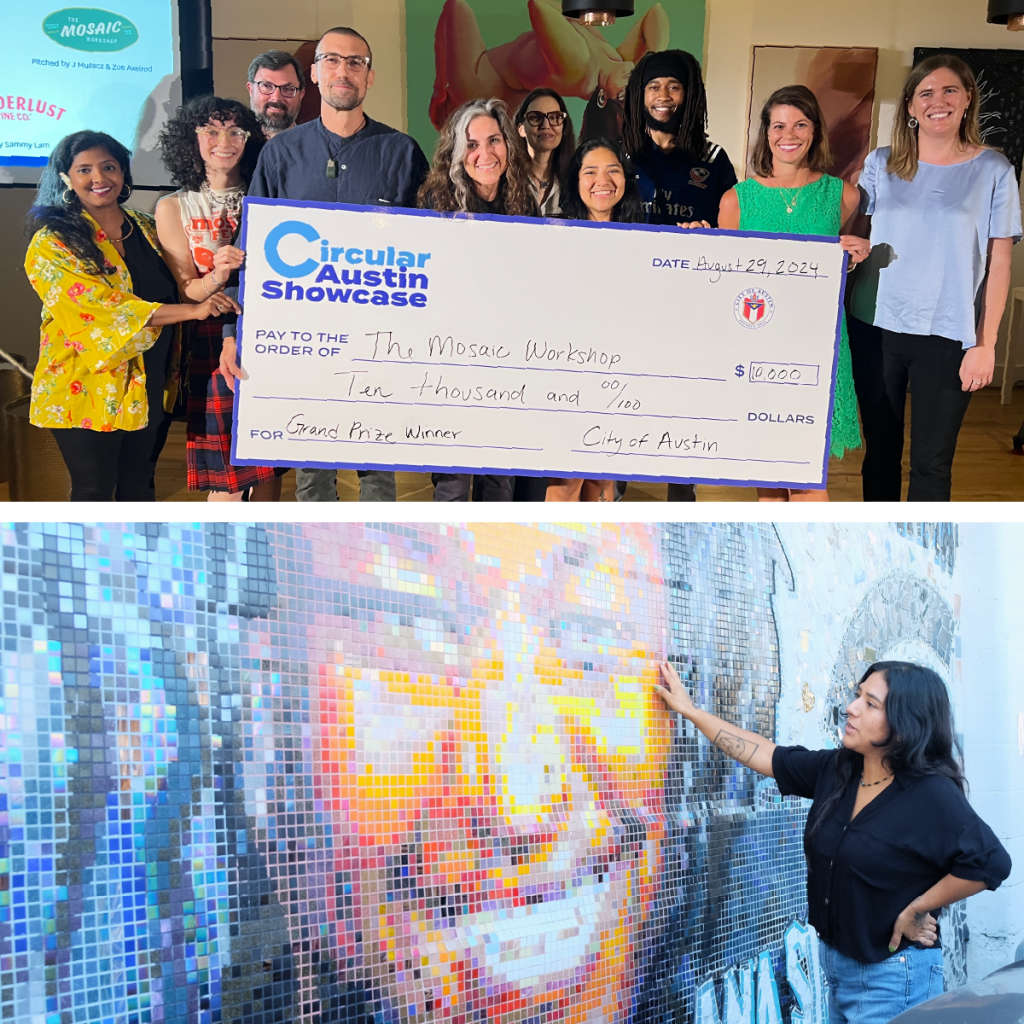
(480,167)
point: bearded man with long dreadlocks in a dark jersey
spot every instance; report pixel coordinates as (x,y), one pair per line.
(681,177)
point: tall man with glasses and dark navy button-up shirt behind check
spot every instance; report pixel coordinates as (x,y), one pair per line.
(343,157)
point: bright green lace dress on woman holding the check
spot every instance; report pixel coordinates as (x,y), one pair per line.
(819,210)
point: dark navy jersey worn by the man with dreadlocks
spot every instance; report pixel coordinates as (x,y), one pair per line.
(675,189)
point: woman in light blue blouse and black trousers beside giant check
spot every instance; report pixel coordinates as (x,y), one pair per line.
(926,307)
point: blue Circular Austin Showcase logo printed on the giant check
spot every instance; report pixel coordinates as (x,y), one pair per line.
(342,274)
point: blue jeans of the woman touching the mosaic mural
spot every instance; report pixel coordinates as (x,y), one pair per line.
(875,994)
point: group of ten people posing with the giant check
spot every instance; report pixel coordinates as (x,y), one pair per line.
(140,313)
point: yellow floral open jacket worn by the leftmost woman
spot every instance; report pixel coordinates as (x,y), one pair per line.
(94,333)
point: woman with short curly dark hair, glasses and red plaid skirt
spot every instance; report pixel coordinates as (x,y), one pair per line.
(210,147)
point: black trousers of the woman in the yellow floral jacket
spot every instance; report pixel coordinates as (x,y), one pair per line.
(121,464)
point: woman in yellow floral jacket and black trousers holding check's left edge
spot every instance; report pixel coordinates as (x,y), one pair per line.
(109,352)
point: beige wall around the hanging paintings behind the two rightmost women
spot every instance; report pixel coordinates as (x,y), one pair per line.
(895,27)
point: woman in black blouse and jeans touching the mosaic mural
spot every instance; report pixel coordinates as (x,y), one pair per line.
(890,838)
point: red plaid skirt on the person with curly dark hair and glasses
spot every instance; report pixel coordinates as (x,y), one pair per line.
(209,420)
